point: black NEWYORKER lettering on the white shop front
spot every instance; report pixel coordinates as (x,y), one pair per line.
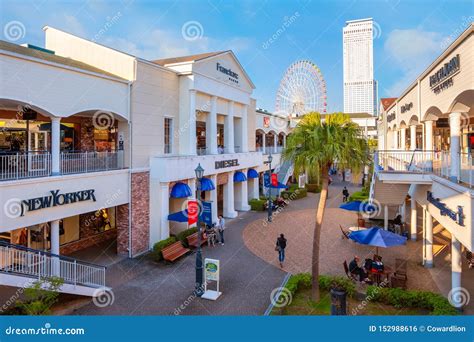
(56,199)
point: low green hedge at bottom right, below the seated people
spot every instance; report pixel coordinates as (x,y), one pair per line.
(434,302)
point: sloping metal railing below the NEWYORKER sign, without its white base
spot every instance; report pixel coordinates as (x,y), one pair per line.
(37,264)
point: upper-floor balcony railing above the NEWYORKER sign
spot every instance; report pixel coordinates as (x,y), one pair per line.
(38,164)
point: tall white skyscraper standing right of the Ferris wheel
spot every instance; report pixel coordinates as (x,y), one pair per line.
(360,88)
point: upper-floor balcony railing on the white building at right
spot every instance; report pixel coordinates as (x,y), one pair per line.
(436,162)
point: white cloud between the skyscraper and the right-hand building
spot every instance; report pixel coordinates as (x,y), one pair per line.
(411,51)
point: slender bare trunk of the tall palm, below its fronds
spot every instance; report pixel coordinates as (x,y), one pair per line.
(317,234)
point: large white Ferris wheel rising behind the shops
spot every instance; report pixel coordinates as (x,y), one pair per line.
(302,90)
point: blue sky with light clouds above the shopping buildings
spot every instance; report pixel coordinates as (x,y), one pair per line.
(408,36)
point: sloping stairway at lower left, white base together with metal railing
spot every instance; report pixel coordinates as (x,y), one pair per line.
(21,266)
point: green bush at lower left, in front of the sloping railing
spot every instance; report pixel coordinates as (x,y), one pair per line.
(40,296)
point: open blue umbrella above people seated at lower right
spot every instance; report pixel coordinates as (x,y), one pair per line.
(377,237)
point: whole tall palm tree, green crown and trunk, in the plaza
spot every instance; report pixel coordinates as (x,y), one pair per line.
(314,146)
